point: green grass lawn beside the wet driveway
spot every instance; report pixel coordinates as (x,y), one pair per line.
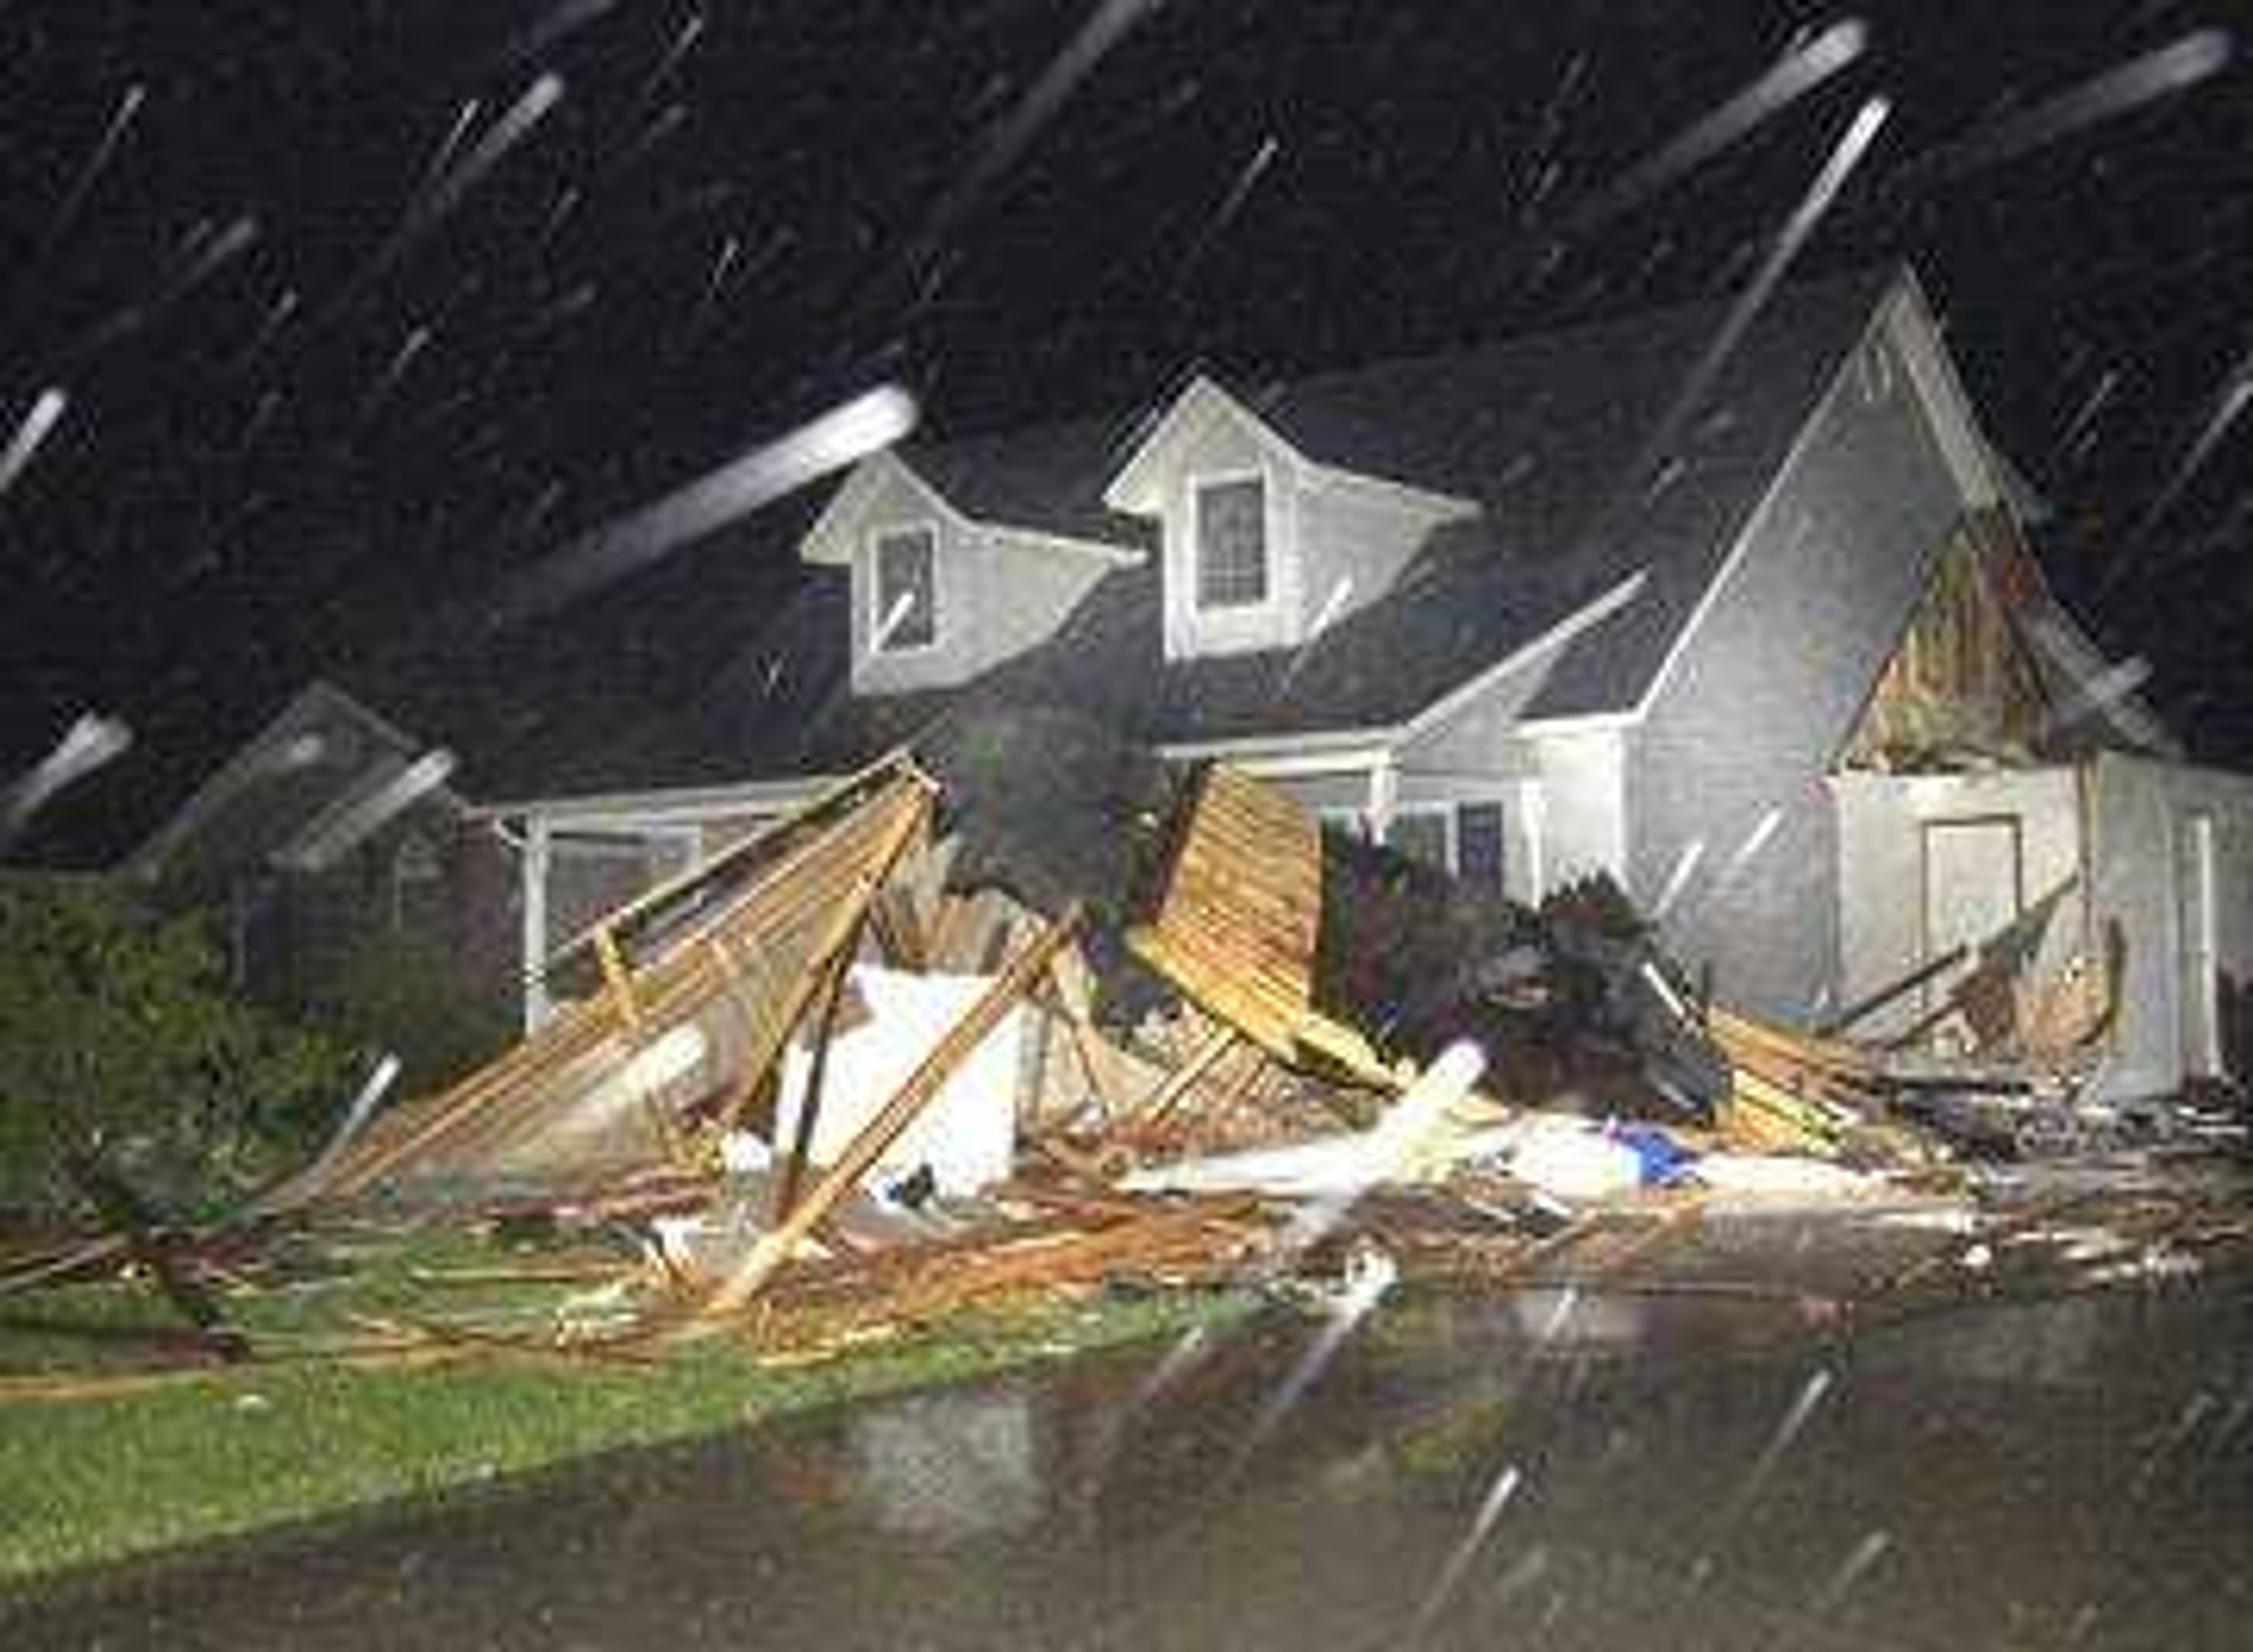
(240,1450)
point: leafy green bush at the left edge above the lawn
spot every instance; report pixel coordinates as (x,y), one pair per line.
(121,1038)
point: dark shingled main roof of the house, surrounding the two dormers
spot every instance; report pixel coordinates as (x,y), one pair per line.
(1540,432)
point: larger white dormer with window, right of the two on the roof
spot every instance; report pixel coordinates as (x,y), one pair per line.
(1265,547)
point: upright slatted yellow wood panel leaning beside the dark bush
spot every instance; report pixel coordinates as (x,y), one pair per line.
(1238,921)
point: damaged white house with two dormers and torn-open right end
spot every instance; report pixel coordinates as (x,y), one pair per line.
(1797,684)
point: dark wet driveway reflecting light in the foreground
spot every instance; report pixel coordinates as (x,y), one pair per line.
(1540,1471)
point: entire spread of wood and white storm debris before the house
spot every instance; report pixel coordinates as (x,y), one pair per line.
(643,1117)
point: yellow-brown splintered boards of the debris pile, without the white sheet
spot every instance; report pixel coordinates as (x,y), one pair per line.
(682,1009)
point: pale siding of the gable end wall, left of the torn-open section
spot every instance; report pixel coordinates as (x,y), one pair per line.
(1765,691)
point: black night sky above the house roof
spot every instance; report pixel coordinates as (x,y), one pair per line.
(742,213)
